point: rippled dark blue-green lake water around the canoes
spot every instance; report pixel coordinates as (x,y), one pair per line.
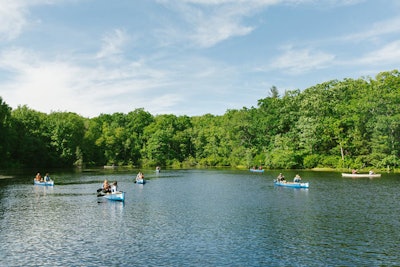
(201,218)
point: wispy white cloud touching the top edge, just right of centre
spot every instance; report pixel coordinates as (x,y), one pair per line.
(214,21)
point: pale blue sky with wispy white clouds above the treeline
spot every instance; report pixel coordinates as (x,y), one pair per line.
(186,57)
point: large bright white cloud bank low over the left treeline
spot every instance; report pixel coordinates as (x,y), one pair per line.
(66,85)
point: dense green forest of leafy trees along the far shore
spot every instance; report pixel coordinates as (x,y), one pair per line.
(350,123)
